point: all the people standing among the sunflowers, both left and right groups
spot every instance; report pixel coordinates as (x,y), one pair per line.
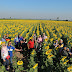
(25,47)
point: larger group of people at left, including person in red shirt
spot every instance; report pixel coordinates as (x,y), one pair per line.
(21,44)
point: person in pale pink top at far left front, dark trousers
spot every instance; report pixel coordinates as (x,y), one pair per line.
(4,54)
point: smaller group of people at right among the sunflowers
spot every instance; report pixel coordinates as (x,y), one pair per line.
(63,49)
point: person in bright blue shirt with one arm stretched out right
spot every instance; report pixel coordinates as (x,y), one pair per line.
(10,50)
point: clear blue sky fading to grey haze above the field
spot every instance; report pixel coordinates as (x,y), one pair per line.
(36,9)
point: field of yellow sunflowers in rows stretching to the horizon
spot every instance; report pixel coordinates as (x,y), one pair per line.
(48,60)
